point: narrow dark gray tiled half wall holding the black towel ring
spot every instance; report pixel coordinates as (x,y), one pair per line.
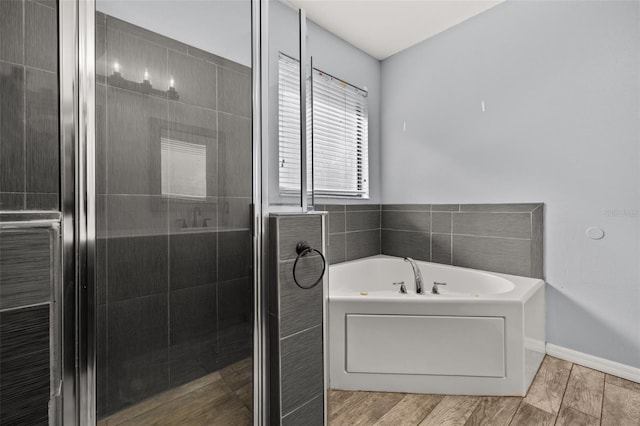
(296,319)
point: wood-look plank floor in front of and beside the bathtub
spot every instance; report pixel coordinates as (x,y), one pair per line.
(562,394)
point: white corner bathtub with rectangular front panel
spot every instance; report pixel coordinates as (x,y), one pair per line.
(484,334)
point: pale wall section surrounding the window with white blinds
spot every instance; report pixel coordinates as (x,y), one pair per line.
(337,57)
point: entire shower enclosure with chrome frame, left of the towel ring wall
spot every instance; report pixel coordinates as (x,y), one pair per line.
(130,212)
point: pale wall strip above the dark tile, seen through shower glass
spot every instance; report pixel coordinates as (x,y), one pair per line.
(221,27)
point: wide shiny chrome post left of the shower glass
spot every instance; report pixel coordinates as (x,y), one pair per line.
(76,19)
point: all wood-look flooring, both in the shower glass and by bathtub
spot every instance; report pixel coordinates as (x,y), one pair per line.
(562,394)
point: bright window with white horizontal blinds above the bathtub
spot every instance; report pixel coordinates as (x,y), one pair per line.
(339,146)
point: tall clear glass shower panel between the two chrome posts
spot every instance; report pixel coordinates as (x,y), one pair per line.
(174,275)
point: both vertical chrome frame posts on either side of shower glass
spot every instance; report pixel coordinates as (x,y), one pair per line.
(77,98)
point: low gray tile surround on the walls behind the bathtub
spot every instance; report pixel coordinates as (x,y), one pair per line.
(505,238)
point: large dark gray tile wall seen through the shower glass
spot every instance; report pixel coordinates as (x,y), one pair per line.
(175,283)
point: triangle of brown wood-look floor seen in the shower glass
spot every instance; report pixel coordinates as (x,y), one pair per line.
(224,397)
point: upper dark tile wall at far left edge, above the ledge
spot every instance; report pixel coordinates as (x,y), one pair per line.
(29,142)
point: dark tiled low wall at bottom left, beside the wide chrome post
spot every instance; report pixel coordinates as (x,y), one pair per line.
(27,259)
